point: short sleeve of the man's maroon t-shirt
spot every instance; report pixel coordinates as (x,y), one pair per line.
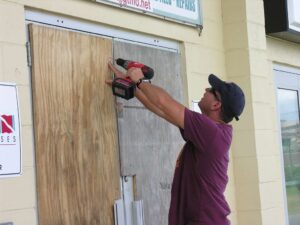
(199,129)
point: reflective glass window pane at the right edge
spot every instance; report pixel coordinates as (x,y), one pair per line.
(289,119)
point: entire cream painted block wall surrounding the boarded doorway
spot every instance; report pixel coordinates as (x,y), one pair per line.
(232,45)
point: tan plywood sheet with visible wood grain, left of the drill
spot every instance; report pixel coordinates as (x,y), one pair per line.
(75,128)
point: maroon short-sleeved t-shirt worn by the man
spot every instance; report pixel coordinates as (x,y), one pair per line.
(200,178)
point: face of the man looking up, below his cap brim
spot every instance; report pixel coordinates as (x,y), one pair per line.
(209,100)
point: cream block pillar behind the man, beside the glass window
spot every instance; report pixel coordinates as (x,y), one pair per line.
(256,149)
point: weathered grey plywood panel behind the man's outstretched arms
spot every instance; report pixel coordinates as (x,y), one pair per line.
(149,145)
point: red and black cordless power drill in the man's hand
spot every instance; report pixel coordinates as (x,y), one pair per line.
(125,87)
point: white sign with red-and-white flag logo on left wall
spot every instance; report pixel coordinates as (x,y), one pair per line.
(10,144)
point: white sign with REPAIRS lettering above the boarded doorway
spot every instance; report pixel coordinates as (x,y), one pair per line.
(183,11)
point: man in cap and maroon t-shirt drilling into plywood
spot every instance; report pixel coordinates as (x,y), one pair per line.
(200,179)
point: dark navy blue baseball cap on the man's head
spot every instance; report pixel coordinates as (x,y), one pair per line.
(232,96)
